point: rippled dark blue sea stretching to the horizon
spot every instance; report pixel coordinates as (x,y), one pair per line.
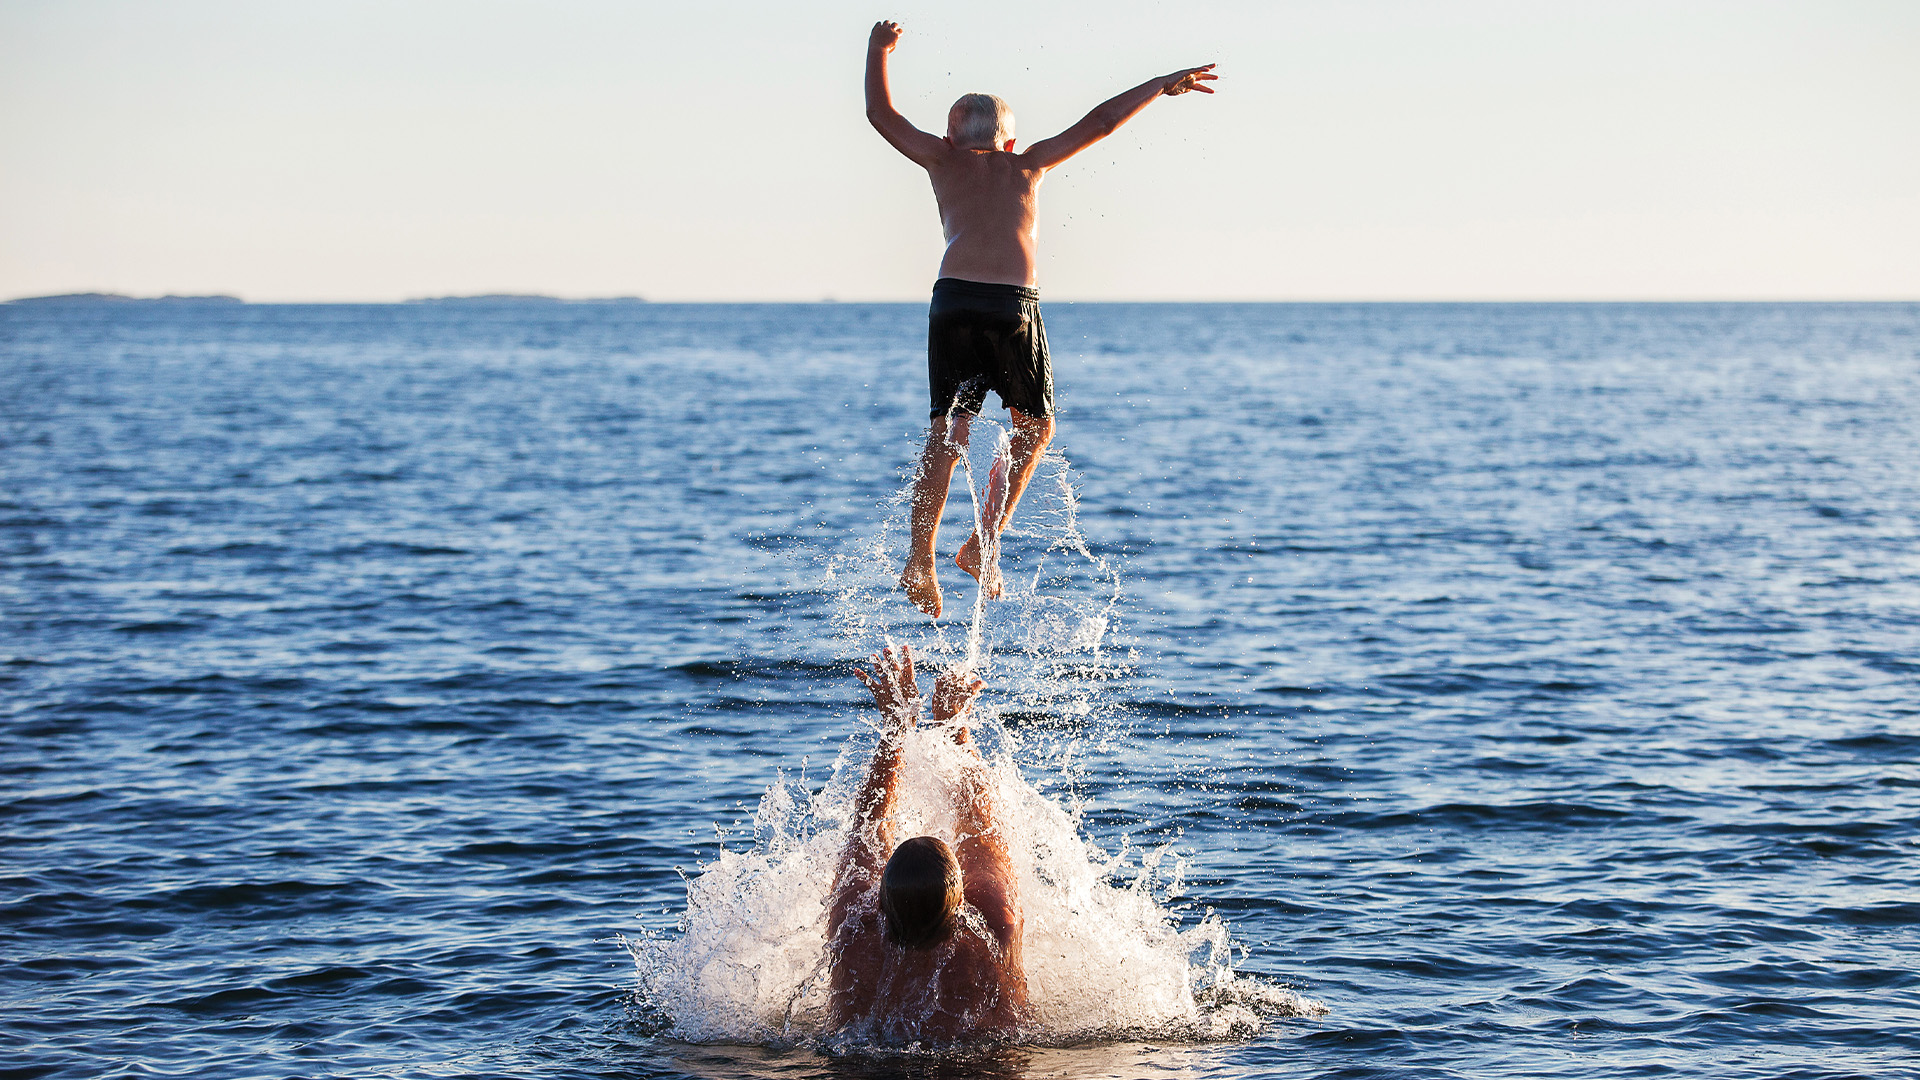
(1535,687)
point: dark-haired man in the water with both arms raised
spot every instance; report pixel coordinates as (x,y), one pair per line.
(924,937)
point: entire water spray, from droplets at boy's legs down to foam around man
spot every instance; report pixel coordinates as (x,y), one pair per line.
(1107,954)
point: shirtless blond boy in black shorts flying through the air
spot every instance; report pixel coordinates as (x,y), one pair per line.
(984,326)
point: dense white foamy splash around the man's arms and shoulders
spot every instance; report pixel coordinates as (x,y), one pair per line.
(1107,960)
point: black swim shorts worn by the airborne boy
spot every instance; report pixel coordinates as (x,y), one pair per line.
(988,337)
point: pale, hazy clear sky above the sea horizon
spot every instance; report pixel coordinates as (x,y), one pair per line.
(1356,151)
